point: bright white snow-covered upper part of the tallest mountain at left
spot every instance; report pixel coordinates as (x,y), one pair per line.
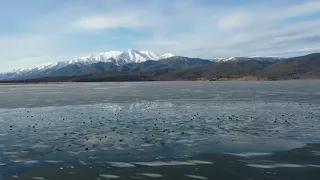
(115,57)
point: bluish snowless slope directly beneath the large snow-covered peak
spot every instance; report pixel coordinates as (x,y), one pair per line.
(80,69)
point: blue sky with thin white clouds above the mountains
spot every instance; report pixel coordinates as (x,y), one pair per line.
(34,32)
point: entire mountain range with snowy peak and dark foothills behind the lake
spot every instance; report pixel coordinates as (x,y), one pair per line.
(143,65)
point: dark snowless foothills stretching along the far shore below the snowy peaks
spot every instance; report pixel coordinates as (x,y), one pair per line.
(302,67)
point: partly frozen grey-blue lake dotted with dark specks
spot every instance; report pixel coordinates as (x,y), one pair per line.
(165,130)
